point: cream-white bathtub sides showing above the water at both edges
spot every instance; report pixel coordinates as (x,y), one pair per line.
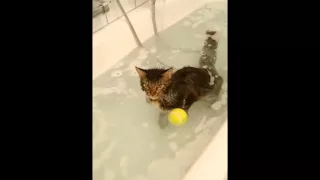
(212,164)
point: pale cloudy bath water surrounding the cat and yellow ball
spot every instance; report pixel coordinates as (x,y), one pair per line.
(127,141)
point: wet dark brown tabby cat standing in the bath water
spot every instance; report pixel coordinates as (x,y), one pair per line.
(167,89)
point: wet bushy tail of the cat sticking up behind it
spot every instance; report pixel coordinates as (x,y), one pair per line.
(208,54)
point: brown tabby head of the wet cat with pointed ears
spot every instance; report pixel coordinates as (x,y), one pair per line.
(154,81)
